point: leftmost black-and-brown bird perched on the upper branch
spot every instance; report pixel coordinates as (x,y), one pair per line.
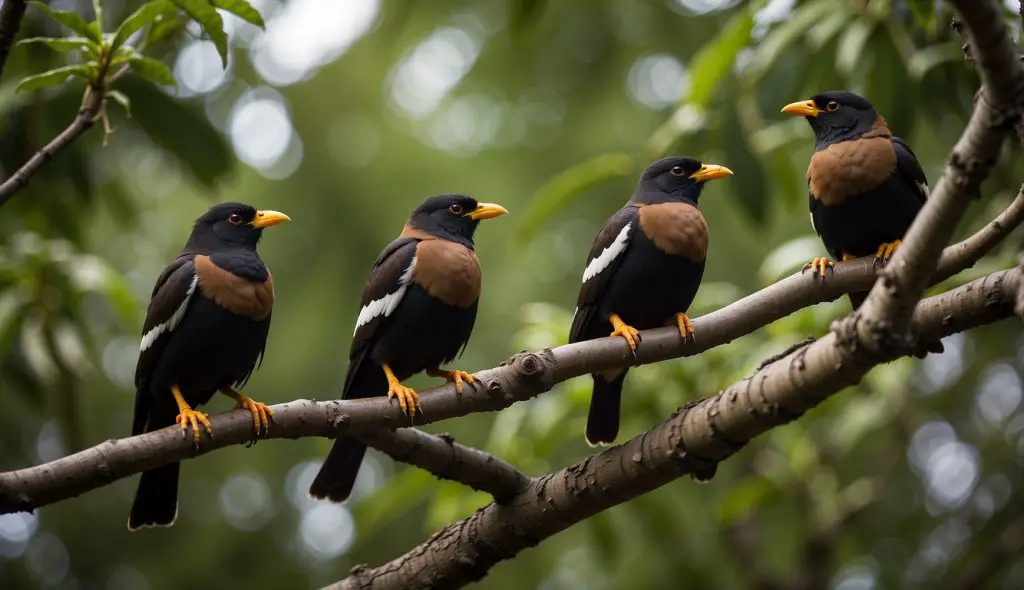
(205,331)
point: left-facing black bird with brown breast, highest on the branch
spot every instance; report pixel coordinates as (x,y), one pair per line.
(865,185)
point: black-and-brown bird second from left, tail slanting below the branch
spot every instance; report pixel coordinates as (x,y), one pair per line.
(417,314)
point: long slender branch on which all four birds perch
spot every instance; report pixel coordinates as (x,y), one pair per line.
(518,380)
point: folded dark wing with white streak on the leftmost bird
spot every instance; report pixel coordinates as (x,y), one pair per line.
(168,305)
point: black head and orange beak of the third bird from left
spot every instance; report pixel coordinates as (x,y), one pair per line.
(676,179)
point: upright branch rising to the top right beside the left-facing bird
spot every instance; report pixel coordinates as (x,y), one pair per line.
(884,318)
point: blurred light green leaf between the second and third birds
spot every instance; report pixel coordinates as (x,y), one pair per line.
(559,192)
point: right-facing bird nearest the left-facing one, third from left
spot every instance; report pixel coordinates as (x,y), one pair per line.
(644,272)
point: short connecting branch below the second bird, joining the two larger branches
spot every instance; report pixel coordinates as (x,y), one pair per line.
(449,460)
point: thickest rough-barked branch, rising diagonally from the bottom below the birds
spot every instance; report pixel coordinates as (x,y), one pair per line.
(689,444)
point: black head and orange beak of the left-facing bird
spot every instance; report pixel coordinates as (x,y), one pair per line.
(836,116)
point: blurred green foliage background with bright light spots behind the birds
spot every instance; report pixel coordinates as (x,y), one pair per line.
(346,114)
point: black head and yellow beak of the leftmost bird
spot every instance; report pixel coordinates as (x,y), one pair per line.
(231,225)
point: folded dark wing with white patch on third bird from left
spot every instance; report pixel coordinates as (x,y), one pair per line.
(606,256)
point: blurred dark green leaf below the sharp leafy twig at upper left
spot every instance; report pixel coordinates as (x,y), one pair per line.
(182,130)
